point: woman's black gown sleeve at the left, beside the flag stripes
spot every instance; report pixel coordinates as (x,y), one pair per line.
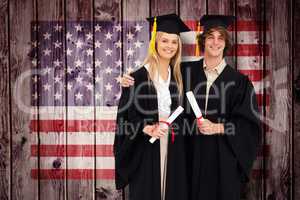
(129,138)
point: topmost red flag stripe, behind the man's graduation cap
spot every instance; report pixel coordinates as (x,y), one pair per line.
(242,25)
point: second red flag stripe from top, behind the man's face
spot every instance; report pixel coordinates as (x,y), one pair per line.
(242,50)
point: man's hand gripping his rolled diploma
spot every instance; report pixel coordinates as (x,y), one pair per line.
(207,127)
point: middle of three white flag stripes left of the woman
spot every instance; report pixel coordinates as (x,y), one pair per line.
(52,138)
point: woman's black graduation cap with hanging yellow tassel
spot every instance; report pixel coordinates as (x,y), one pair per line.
(170,23)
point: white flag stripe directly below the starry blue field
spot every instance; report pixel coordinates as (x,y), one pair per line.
(74,112)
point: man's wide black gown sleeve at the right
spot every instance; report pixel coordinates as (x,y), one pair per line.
(242,128)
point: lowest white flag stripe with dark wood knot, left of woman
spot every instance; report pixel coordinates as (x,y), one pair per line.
(74,162)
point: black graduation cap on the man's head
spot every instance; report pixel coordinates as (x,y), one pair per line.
(211,21)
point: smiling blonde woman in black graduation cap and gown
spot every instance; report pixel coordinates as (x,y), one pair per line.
(150,169)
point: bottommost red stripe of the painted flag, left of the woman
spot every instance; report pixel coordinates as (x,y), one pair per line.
(88,174)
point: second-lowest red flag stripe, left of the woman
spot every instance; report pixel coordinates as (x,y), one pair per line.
(72,150)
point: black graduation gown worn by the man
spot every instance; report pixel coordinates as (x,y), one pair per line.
(219,164)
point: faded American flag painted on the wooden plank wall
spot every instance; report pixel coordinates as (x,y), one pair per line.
(75,89)
